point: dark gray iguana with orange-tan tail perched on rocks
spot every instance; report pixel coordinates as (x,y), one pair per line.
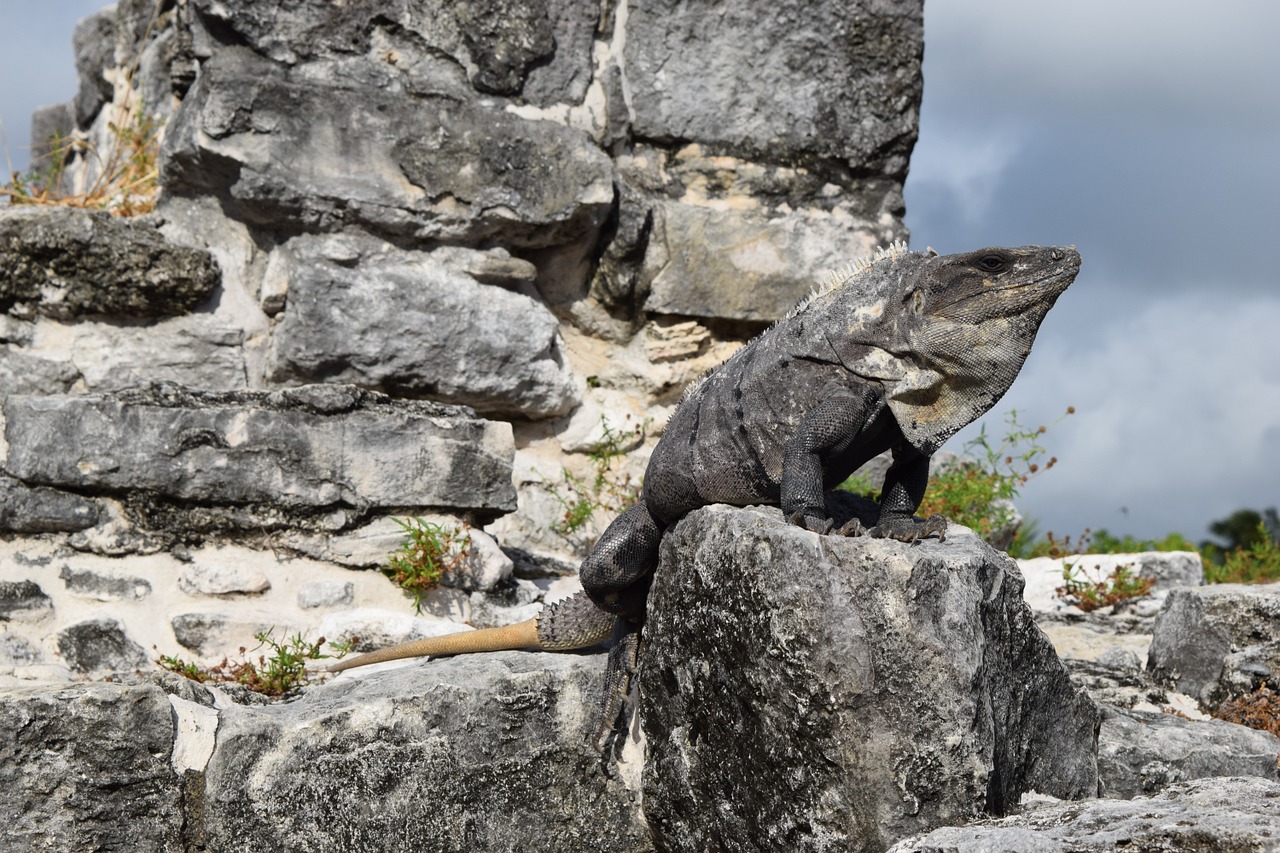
(897,355)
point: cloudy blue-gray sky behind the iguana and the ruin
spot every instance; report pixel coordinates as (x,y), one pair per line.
(1146,133)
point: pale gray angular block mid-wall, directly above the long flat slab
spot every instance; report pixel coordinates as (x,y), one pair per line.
(415,325)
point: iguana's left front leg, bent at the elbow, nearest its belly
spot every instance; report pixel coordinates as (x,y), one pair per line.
(824,435)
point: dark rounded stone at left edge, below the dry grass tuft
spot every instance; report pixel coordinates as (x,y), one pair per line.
(66,263)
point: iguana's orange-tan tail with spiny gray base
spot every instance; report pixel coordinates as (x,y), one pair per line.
(574,623)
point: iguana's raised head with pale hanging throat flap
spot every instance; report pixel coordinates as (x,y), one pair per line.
(945,336)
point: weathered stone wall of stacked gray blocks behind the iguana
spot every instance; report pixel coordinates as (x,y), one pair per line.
(551,212)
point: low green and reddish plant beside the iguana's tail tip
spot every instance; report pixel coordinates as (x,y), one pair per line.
(280,670)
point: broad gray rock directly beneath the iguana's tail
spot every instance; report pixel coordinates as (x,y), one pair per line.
(496,761)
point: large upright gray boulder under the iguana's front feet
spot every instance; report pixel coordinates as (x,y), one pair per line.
(886,688)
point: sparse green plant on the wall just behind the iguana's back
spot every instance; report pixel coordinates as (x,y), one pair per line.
(609,490)
